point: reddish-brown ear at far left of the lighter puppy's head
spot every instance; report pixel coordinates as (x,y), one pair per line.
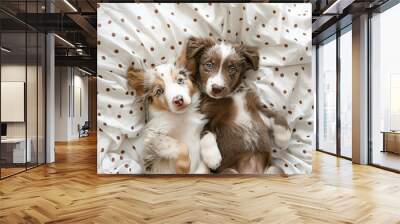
(139,80)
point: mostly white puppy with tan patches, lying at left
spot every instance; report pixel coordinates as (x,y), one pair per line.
(172,134)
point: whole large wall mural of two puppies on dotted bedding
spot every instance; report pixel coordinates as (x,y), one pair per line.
(207,88)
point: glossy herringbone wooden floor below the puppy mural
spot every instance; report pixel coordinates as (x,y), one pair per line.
(70,191)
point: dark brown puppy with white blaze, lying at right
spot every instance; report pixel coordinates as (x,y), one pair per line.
(237,120)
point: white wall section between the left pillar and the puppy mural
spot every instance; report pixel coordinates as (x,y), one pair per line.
(69,81)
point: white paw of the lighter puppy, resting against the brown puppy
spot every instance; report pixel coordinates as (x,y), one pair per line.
(209,151)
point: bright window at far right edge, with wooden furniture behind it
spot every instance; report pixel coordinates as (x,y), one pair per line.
(385,89)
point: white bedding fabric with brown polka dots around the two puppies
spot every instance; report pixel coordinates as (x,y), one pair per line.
(149,34)
